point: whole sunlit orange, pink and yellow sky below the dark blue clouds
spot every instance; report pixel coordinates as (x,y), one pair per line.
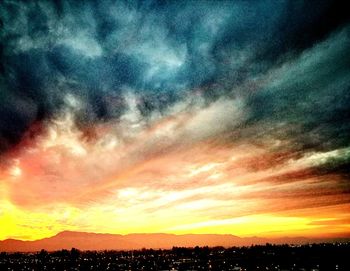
(127,183)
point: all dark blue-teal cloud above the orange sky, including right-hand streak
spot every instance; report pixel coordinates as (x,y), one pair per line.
(99,49)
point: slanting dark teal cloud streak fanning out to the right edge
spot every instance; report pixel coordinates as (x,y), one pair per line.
(311,93)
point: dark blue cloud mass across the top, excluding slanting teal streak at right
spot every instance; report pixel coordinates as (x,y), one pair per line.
(95,50)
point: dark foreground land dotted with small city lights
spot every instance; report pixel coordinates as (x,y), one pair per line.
(314,257)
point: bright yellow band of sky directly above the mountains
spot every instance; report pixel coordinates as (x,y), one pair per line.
(19,224)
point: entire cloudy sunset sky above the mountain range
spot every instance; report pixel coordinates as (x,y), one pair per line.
(226,117)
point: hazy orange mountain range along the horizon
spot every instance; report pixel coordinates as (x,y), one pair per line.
(99,241)
